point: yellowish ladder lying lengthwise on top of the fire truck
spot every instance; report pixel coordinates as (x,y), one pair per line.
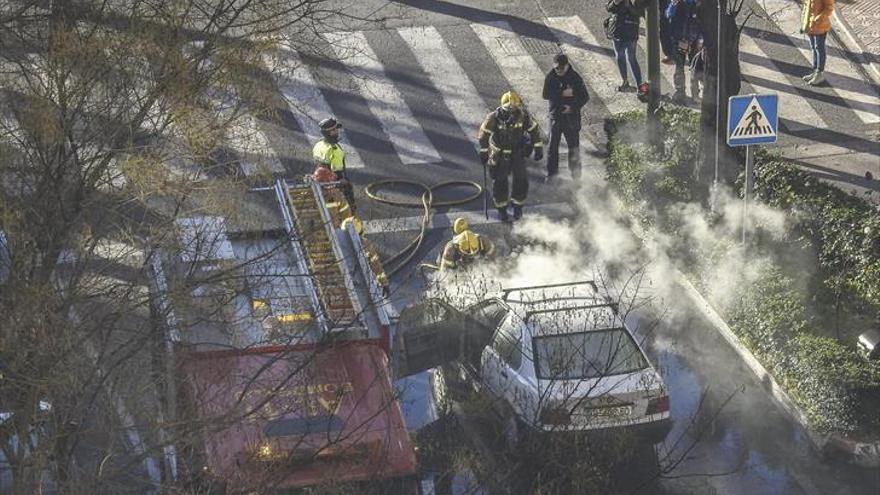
(332,283)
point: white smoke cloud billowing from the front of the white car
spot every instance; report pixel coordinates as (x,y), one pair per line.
(603,243)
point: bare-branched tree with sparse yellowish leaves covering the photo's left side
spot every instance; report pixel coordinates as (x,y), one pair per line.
(114,126)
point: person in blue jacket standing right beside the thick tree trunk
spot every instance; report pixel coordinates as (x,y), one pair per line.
(686,33)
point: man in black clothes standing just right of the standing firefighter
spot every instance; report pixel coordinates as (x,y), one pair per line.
(565,90)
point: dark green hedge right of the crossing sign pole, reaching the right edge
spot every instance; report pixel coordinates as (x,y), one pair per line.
(844,229)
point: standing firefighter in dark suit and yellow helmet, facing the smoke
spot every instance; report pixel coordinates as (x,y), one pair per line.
(507,136)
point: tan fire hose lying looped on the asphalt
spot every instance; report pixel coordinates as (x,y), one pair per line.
(426,202)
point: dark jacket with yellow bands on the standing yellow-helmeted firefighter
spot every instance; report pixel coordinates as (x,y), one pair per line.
(508,138)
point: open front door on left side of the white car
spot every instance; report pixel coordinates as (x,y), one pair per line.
(431,334)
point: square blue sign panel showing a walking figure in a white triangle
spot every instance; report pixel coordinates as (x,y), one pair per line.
(752,119)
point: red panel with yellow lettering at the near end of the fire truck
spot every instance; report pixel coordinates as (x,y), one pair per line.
(294,417)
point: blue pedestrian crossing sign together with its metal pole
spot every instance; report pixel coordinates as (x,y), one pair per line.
(751,119)
